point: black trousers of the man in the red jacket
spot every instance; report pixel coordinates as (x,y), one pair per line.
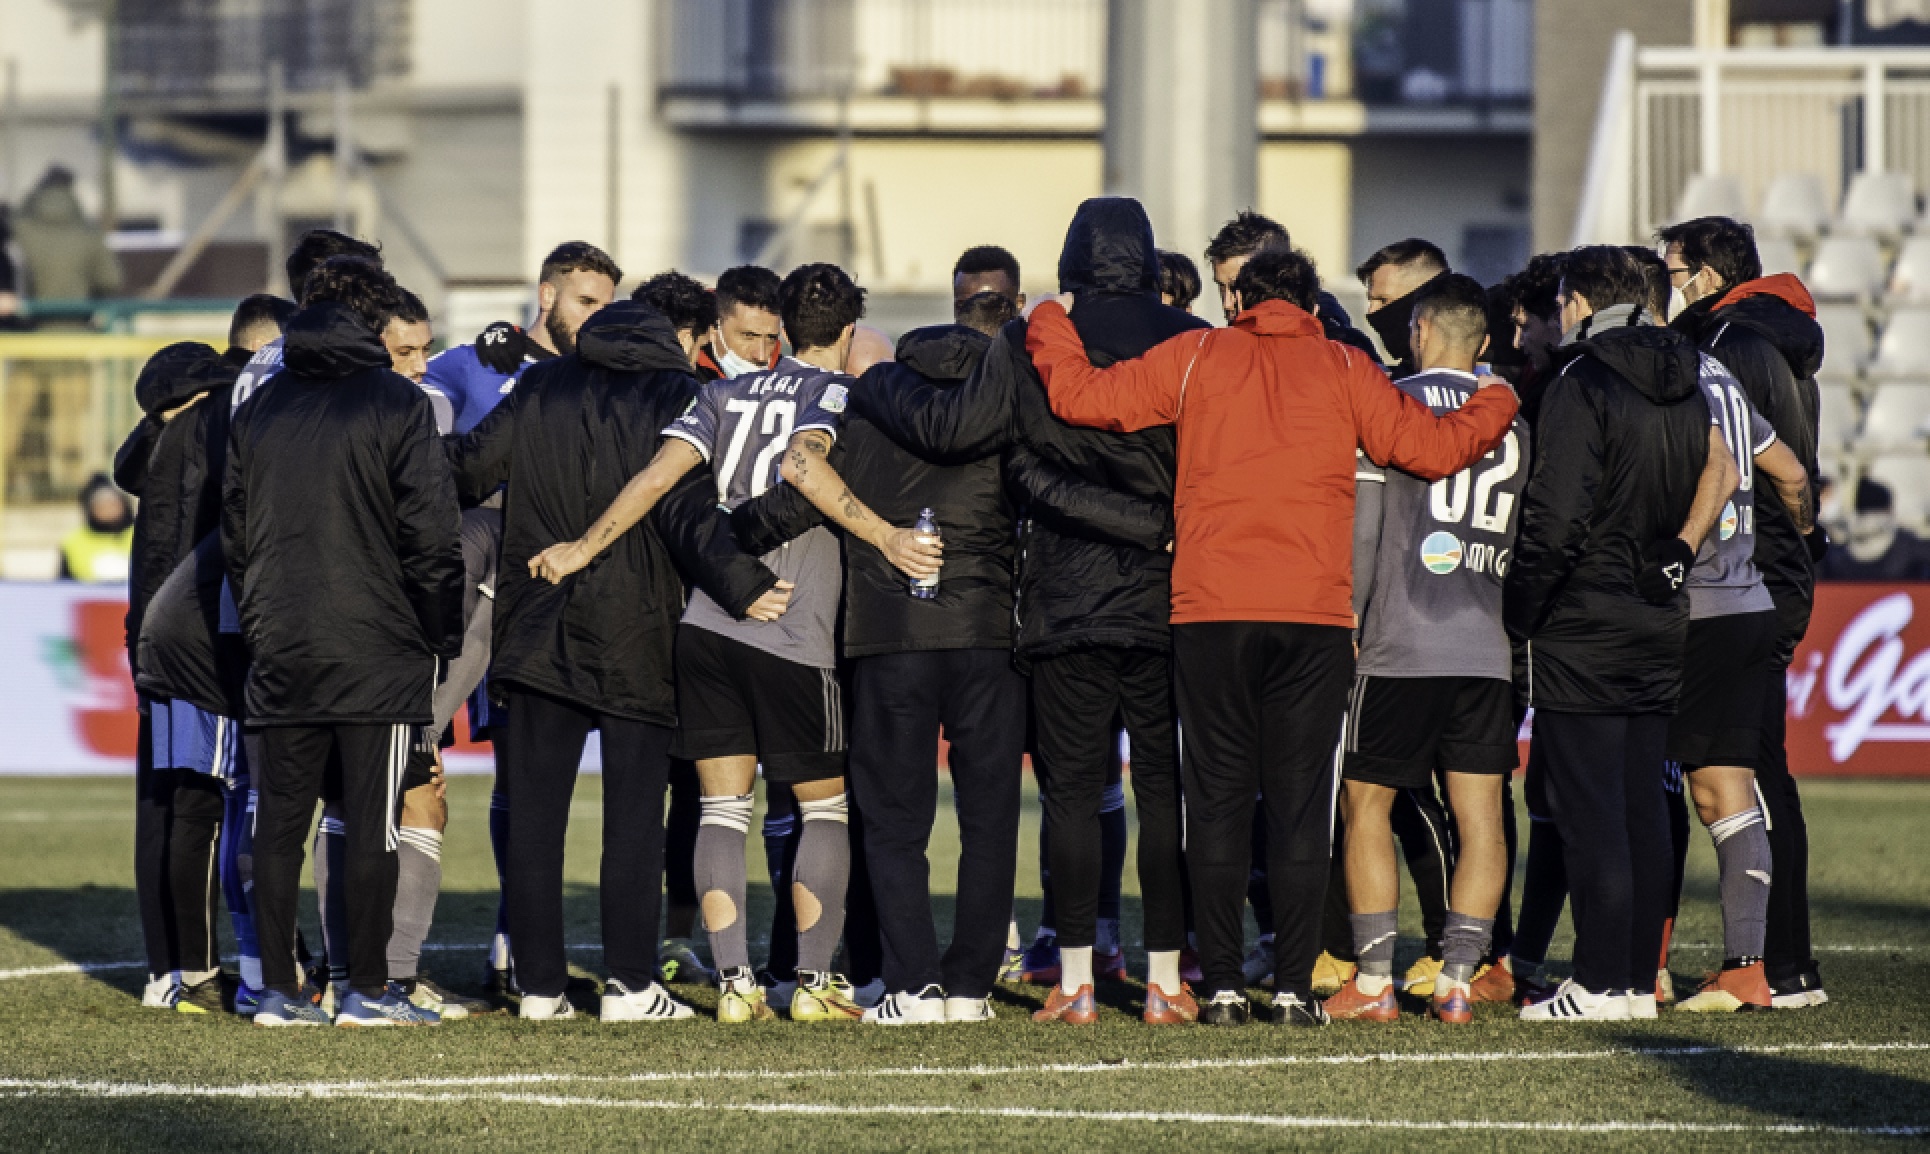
(1261,705)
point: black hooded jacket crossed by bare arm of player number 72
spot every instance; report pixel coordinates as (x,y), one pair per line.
(566,441)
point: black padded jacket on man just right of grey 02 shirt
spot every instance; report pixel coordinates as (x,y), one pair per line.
(1620,447)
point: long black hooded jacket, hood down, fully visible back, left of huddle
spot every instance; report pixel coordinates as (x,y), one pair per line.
(341,536)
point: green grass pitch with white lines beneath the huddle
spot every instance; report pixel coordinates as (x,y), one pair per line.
(84,1068)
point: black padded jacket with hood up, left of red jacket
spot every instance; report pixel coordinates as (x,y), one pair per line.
(1078,590)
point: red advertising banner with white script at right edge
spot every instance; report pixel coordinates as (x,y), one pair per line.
(1860,690)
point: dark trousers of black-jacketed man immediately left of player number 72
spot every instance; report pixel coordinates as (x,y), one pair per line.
(545,750)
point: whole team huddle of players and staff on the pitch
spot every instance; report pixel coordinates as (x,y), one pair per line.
(1302,597)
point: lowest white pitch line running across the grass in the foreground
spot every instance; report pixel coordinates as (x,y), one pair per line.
(995,1113)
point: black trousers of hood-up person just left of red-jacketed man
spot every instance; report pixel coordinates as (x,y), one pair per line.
(1076,700)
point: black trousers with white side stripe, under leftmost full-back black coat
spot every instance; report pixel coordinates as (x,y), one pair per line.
(294,759)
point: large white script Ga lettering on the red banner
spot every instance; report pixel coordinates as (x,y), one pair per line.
(1867,690)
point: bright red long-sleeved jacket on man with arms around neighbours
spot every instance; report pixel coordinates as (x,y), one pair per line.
(1269,414)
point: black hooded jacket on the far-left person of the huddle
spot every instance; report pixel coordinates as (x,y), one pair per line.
(175,466)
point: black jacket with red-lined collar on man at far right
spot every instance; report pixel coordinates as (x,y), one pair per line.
(1767,335)
